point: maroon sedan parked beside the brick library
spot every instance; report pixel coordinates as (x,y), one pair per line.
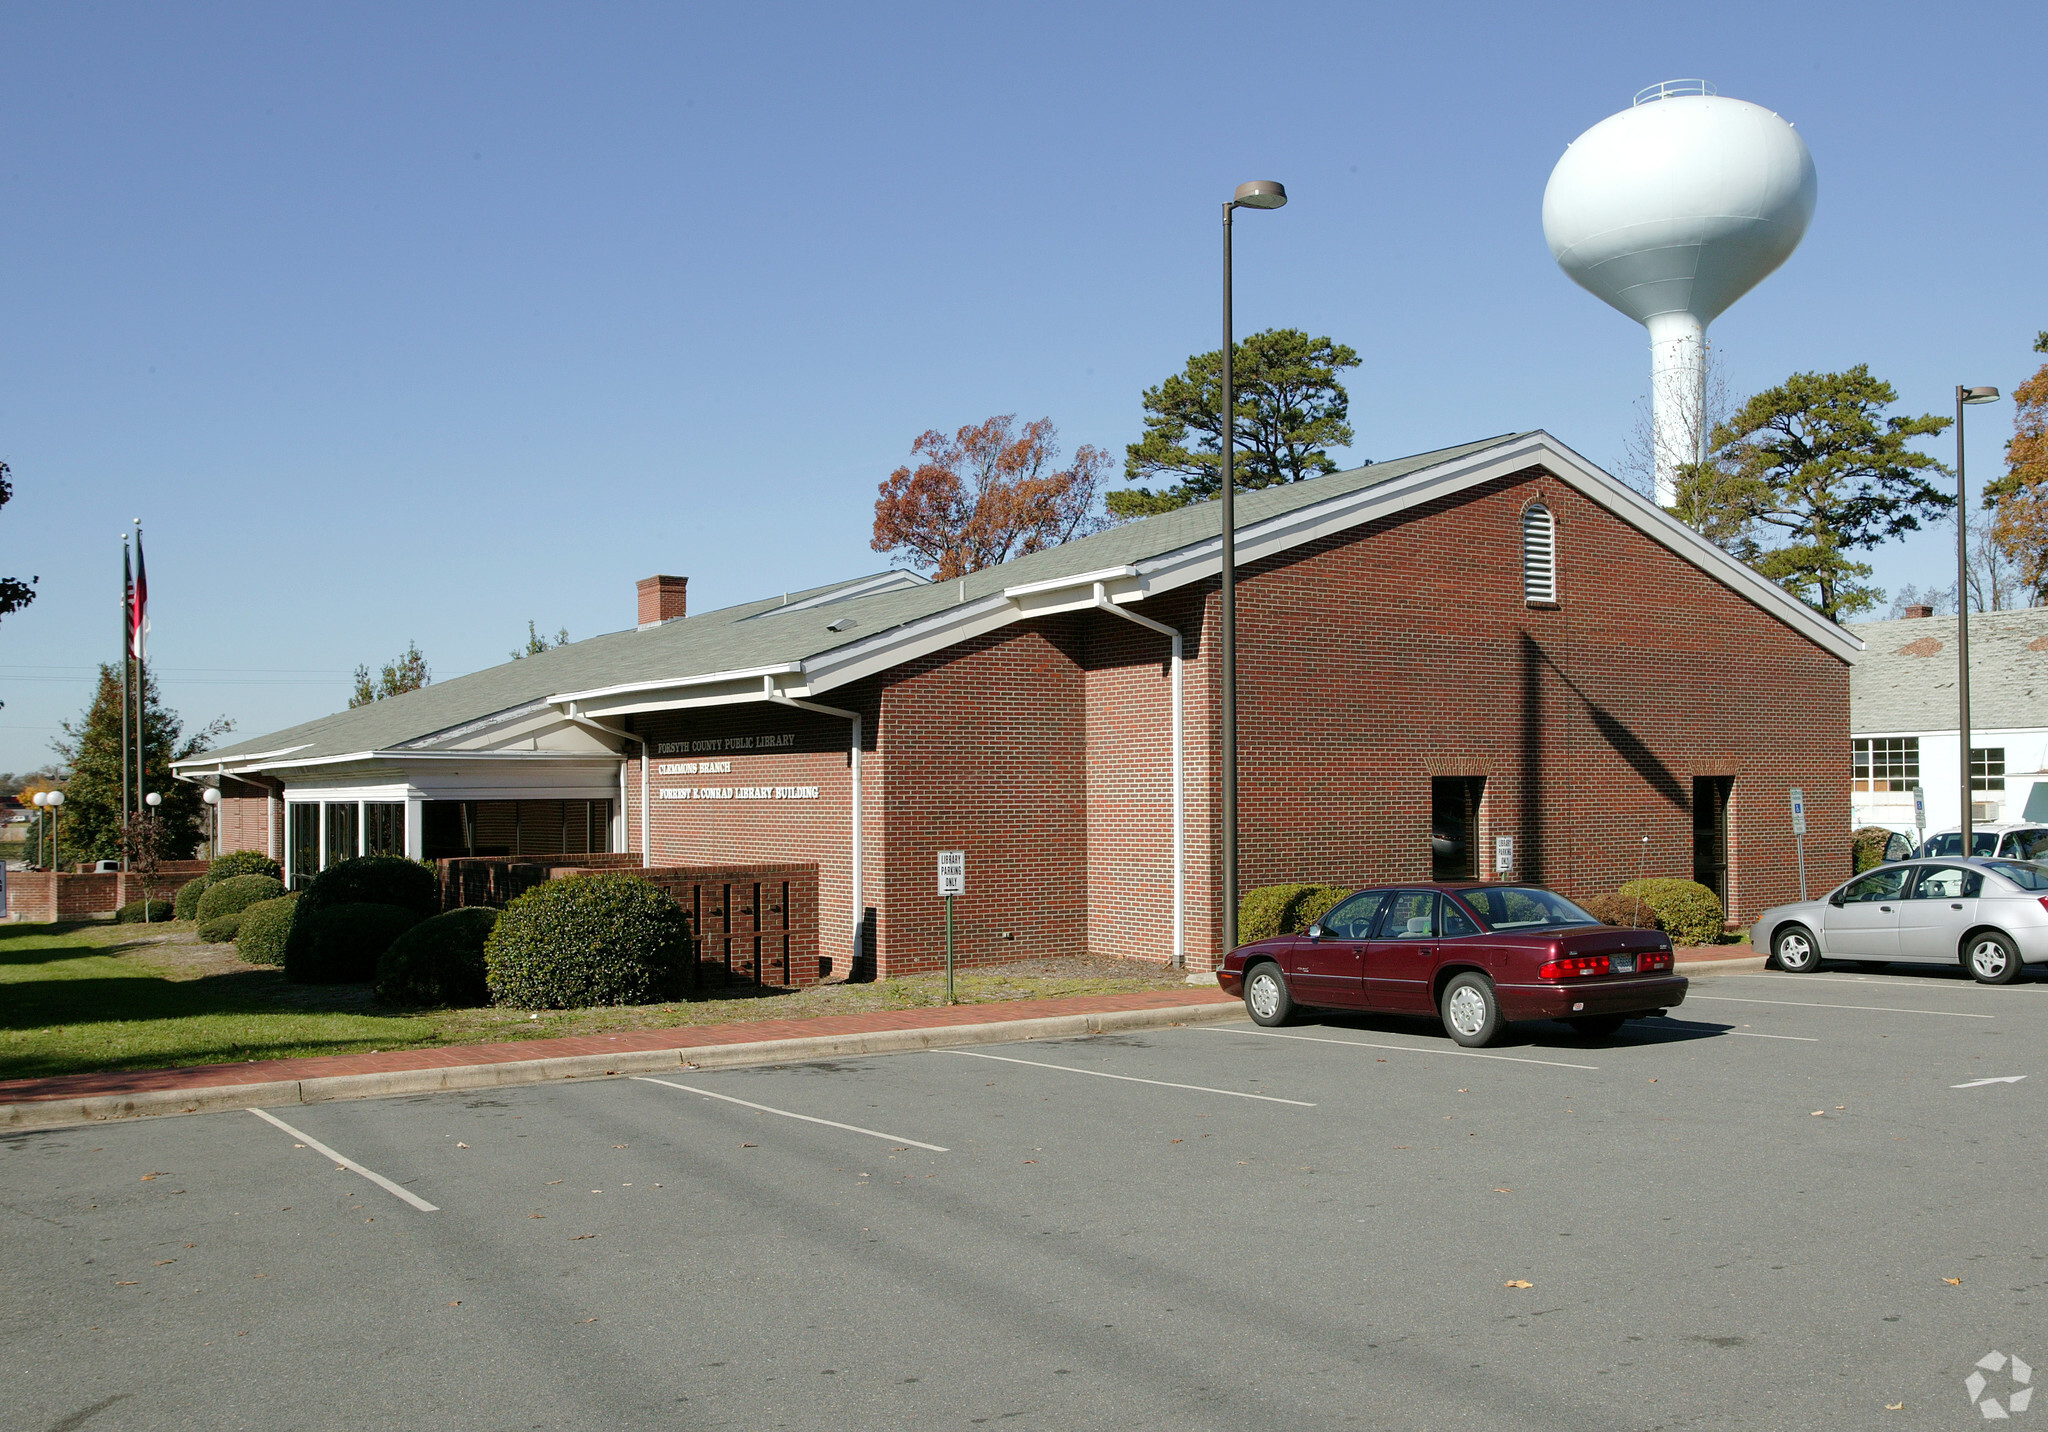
(1478,956)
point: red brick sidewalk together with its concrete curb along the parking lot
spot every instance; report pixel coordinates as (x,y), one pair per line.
(202,1089)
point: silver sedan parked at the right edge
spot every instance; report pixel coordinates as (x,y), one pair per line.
(1992,917)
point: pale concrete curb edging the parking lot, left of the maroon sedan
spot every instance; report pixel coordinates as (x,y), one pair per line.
(58,1113)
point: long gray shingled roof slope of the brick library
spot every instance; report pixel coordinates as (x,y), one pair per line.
(761,634)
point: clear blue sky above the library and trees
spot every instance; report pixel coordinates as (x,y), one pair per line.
(419,323)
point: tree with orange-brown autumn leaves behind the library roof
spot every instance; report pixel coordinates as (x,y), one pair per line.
(988,495)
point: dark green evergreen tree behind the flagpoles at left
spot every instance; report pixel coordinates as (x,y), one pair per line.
(91,749)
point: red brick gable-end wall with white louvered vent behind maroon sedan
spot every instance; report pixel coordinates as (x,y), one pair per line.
(1406,650)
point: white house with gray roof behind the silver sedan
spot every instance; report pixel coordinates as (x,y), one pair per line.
(1904,726)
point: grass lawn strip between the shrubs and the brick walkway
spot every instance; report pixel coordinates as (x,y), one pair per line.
(99,997)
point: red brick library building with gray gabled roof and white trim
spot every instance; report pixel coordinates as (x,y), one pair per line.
(1476,657)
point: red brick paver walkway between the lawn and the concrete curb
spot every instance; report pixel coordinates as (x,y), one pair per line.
(630,1042)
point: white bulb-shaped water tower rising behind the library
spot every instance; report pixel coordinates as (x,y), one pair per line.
(1672,212)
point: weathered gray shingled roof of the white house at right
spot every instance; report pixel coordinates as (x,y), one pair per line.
(1908,677)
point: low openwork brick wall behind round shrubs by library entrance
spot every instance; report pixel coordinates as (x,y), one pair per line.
(751,923)
